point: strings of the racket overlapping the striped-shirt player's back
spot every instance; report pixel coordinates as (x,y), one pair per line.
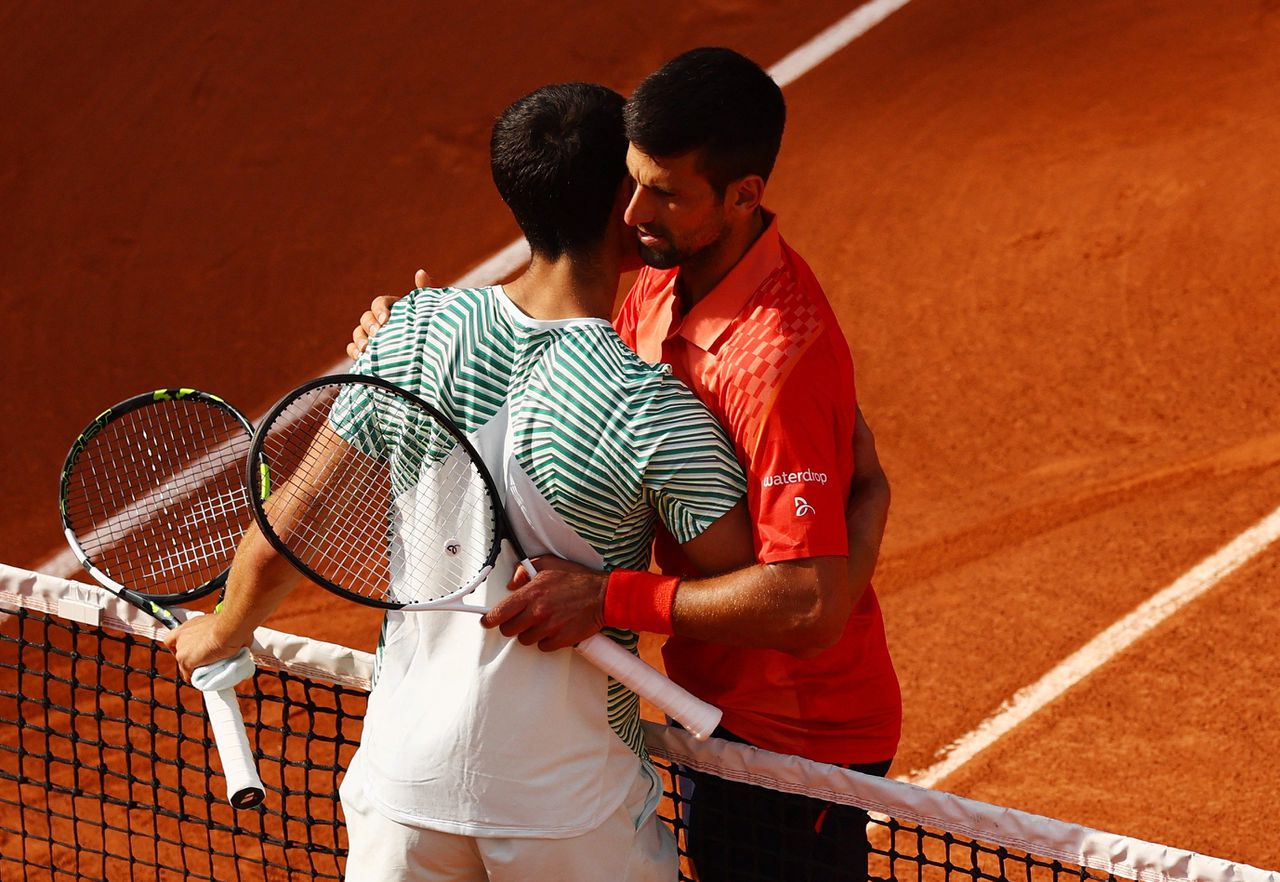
(376,496)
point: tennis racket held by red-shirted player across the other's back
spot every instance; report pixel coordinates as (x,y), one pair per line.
(378,497)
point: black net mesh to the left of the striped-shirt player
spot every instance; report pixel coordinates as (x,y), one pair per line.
(107,771)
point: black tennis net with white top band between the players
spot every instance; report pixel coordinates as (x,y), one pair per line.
(107,771)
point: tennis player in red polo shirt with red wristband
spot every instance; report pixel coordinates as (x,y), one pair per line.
(793,648)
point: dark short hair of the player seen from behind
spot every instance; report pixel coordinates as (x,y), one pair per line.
(559,157)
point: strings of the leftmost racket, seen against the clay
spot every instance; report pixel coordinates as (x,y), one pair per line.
(157,499)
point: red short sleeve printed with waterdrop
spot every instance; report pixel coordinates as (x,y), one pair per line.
(802,465)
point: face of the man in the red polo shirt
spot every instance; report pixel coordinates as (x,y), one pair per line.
(675,211)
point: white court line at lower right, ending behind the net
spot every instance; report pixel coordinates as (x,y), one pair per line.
(1105,647)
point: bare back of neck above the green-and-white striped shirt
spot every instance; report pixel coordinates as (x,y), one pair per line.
(566,289)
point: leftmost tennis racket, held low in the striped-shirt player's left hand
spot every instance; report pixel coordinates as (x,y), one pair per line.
(153,502)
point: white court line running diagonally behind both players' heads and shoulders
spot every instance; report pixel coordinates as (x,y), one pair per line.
(515,257)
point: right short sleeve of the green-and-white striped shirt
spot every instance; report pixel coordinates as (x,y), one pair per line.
(692,477)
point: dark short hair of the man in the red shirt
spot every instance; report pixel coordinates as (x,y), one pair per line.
(716,102)
